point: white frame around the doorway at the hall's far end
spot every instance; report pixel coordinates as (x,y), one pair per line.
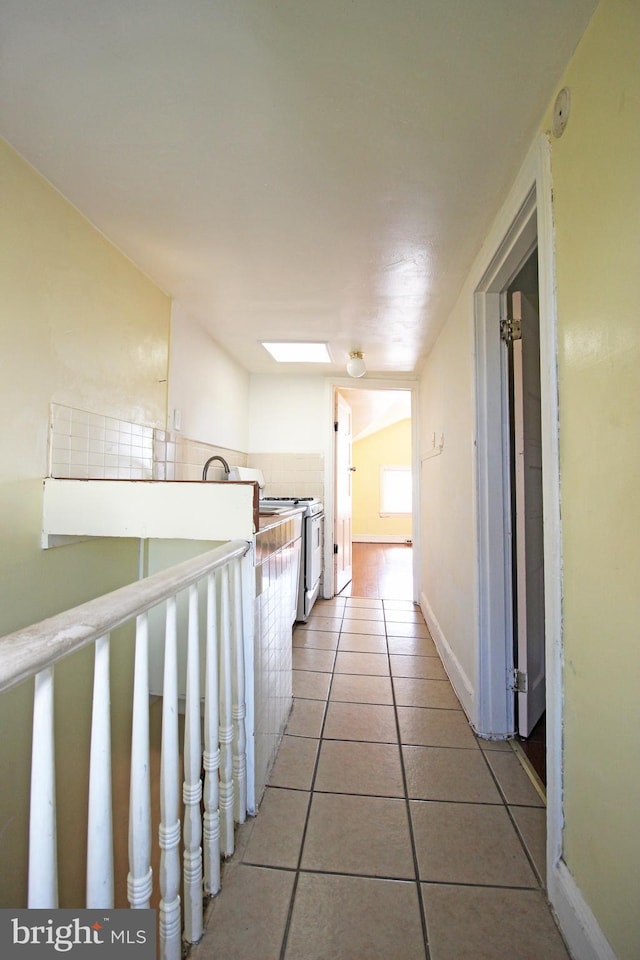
(348,383)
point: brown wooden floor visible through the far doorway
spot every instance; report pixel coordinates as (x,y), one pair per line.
(381,570)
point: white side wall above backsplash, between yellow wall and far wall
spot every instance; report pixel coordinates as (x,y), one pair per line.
(207,386)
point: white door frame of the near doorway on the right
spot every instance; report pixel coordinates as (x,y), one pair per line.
(525,218)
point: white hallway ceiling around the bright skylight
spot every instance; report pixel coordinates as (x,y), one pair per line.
(303,169)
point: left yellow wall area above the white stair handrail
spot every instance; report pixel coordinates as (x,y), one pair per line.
(79,325)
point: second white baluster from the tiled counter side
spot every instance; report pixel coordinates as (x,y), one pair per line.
(226,724)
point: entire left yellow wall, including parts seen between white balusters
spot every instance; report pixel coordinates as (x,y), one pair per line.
(79,325)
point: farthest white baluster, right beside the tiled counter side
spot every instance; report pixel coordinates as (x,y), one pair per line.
(238,699)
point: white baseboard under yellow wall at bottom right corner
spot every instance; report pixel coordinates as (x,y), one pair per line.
(579,927)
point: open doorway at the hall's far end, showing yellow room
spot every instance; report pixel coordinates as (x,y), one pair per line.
(372,478)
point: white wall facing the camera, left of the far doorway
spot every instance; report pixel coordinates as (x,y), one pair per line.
(287,414)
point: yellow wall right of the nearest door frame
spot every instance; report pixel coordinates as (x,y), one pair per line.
(596,177)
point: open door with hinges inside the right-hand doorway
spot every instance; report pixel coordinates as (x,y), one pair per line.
(529,545)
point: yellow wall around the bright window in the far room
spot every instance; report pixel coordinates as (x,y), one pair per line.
(389,447)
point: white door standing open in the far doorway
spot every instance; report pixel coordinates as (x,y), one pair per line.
(342,524)
